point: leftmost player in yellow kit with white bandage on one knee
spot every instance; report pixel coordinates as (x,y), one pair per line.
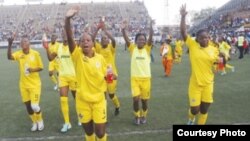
(30,64)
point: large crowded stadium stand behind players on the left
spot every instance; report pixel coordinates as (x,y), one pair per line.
(34,20)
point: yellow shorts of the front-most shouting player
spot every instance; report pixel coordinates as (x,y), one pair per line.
(88,111)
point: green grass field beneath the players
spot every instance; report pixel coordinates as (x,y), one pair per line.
(167,106)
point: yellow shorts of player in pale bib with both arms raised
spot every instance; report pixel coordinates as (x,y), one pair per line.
(141,87)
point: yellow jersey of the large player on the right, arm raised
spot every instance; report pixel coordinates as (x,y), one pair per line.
(202,62)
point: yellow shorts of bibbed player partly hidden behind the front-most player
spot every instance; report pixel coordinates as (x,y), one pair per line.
(67,81)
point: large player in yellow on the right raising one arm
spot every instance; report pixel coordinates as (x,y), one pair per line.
(202,58)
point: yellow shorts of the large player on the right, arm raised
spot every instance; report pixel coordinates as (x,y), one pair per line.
(198,94)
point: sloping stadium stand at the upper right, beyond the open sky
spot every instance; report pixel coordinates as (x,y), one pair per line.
(230,17)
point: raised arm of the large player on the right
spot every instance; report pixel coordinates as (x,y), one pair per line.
(183,13)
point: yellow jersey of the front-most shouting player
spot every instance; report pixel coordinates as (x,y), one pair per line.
(90,73)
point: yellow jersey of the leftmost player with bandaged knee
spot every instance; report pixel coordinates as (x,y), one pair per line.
(30,60)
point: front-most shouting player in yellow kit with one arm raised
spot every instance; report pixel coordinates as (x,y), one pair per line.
(91,84)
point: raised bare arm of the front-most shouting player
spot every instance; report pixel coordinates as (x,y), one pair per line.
(70,13)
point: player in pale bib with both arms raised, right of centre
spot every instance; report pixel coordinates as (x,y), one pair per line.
(140,71)
